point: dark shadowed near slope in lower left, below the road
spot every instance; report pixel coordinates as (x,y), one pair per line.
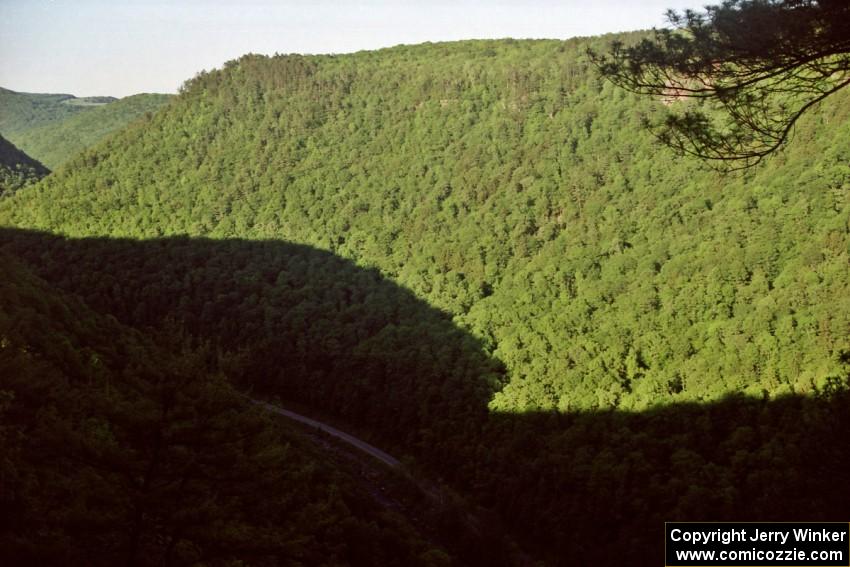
(119,449)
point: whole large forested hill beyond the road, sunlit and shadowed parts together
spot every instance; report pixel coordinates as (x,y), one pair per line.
(474,253)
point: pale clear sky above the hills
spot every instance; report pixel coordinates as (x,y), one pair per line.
(121,47)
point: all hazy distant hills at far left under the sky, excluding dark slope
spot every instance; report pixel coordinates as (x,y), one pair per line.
(54,128)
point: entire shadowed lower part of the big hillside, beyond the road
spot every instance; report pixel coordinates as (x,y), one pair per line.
(292,321)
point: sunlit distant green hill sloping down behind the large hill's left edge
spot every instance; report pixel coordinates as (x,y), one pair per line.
(57,141)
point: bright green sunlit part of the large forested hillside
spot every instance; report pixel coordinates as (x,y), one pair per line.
(504,183)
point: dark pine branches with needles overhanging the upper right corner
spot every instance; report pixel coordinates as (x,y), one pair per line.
(752,66)
